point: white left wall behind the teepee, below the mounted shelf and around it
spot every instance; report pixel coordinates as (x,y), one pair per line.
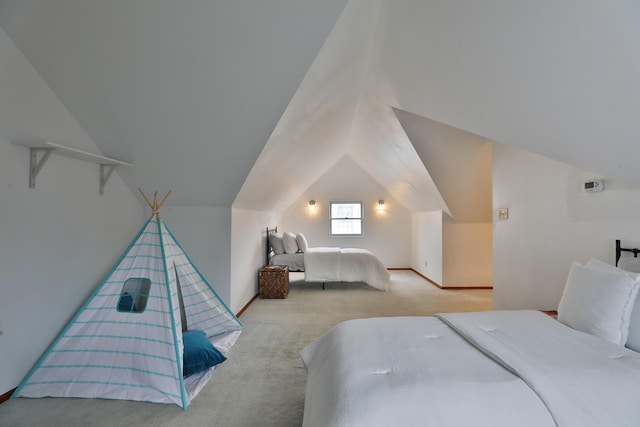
(59,240)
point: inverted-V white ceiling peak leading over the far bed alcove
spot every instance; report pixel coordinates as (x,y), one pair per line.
(335,114)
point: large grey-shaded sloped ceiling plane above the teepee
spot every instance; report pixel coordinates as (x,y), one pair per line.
(189,91)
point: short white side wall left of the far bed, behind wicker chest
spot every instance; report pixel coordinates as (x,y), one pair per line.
(248,253)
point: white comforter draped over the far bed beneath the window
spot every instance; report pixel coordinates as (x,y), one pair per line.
(324,264)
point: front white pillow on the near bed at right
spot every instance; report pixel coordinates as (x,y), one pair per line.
(598,301)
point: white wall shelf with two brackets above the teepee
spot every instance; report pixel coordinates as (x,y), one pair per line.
(45,148)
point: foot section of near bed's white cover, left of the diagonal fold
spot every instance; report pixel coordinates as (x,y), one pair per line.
(411,371)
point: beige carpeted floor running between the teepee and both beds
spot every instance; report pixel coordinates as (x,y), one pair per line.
(262,383)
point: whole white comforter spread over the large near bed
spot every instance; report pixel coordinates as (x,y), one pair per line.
(527,370)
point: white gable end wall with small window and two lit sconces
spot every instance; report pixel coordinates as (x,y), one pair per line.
(386,233)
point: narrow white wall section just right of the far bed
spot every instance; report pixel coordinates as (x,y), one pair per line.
(426,244)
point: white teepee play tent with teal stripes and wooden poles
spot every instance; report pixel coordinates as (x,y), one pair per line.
(126,341)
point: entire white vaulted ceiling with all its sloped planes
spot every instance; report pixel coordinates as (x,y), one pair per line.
(224,101)
